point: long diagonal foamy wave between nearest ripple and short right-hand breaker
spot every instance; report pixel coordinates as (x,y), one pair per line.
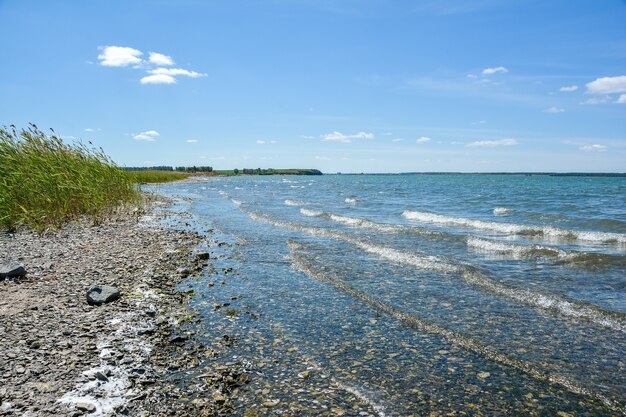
(471,275)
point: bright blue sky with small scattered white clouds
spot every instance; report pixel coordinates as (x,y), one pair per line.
(345,85)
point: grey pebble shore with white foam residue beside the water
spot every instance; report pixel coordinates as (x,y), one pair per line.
(61,356)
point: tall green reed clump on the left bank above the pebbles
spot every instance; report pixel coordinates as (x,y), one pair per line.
(45,182)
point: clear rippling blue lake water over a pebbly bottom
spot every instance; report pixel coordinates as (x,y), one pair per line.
(491,295)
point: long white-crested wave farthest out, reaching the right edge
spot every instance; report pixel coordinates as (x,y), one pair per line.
(516,229)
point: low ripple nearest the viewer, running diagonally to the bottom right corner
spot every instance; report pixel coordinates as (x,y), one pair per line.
(300,263)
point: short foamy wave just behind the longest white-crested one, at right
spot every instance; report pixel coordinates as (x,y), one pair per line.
(523,251)
